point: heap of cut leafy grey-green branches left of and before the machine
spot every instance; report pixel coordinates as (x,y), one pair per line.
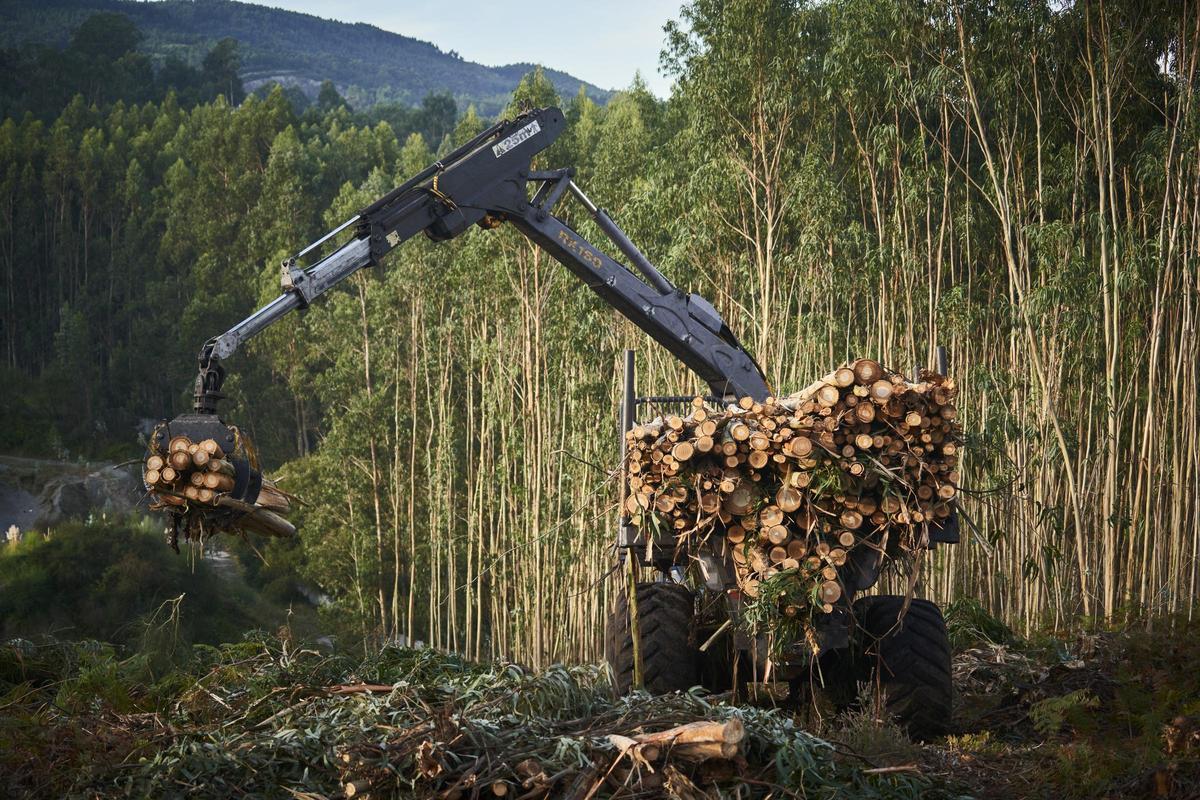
(265,719)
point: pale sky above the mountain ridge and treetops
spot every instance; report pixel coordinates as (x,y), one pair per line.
(603,43)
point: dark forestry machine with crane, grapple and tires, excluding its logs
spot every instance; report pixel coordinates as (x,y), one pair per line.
(688,613)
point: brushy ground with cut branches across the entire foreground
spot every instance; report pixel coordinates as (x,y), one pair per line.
(1109,714)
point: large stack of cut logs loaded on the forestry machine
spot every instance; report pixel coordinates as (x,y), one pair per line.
(789,488)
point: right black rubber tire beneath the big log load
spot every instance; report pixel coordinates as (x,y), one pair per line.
(909,659)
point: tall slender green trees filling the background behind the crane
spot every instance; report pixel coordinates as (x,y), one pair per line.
(1017,182)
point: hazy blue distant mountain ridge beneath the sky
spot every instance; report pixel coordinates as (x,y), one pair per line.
(367,64)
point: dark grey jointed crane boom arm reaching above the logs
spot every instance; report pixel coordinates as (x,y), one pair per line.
(487,183)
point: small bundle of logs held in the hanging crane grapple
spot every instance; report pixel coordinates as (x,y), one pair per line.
(195,482)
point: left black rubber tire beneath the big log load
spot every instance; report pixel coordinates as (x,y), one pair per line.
(670,659)
